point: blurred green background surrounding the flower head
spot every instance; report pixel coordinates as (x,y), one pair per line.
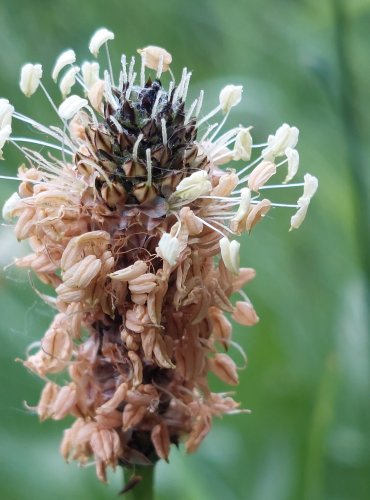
(304,62)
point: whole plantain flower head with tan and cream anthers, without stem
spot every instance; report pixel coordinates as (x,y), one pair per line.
(129,215)
